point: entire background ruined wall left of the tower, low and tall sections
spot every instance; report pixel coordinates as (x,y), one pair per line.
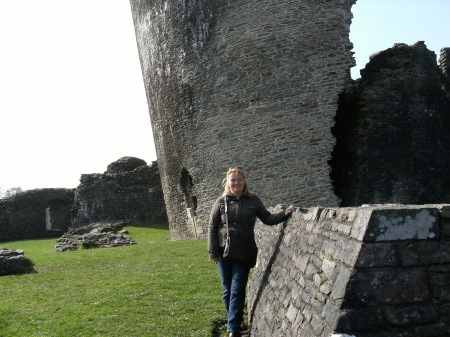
(128,191)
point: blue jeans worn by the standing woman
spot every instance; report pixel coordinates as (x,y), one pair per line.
(234,279)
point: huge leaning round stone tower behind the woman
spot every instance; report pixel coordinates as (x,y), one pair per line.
(251,83)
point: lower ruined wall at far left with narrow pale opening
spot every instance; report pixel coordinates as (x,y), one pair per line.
(35,214)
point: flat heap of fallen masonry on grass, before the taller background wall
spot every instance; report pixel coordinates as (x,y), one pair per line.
(99,234)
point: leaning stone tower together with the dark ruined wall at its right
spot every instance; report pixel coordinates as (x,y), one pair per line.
(266,85)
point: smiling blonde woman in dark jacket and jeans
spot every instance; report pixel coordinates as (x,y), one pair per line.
(242,210)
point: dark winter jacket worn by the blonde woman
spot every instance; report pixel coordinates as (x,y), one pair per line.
(242,213)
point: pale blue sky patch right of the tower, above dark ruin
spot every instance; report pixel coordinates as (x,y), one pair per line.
(378,24)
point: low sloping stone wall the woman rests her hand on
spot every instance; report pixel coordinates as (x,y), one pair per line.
(367,271)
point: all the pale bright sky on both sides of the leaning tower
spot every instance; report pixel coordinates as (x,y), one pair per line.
(72,95)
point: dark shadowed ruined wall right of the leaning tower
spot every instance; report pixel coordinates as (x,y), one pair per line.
(393,144)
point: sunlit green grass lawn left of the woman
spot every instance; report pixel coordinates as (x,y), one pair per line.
(154,288)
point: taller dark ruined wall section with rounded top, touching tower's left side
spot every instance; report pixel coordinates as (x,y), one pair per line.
(129,190)
